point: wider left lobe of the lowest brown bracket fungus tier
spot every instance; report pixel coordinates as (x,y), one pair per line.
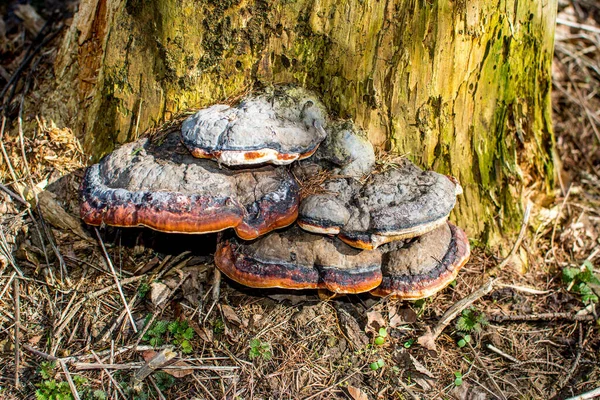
(295,259)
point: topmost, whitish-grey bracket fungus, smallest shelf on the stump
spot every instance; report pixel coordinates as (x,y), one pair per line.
(277,127)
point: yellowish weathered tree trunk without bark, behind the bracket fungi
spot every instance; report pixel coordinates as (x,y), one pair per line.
(459,86)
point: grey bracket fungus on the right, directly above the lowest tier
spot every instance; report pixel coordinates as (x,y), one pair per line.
(399,203)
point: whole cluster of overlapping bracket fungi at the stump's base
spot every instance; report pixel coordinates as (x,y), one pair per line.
(270,161)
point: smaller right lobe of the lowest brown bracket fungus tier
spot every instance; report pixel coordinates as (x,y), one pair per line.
(422,266)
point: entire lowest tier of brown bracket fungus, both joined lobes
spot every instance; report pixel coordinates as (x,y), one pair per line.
(296,259)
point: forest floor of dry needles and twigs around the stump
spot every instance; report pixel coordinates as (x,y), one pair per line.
(531,331)
